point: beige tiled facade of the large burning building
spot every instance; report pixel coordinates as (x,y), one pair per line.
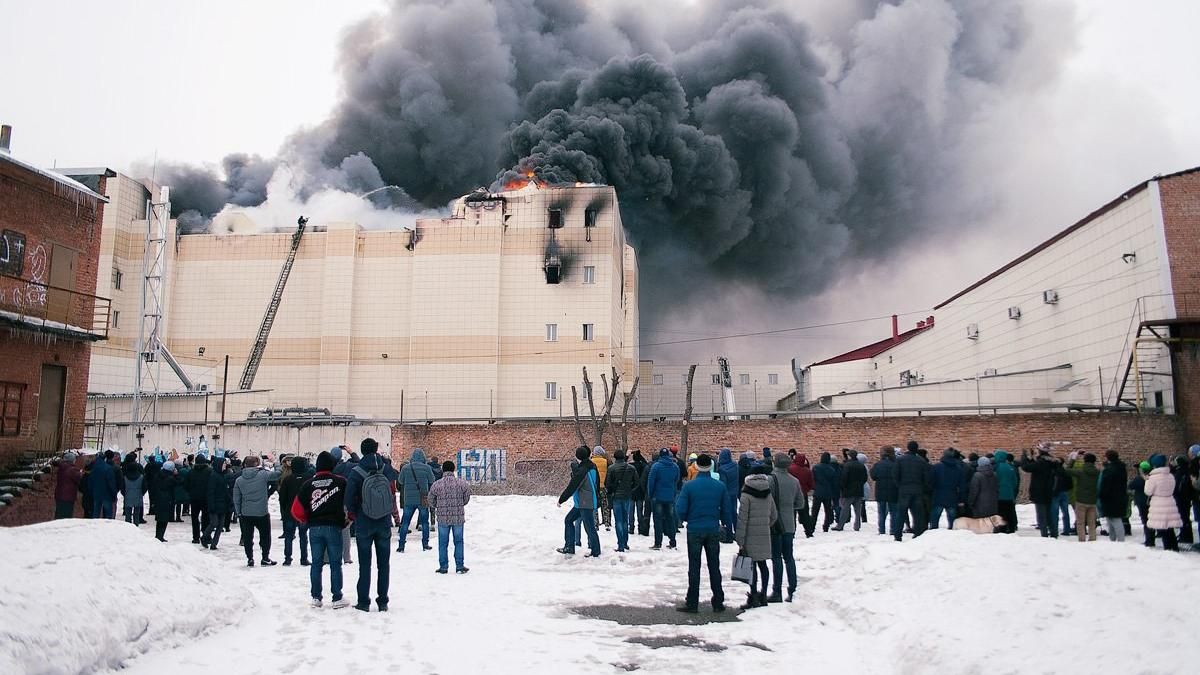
(489,313)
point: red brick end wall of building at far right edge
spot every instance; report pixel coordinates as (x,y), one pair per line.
(1181,218)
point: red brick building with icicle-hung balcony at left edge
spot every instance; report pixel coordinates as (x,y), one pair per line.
(50,315)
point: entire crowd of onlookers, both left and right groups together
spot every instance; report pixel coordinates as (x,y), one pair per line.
(761,501)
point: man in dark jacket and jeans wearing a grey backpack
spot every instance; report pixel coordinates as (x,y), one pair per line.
(373,531)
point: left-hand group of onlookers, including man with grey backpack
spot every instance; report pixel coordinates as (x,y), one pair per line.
(339,498)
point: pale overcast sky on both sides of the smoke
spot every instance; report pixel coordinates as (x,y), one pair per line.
(119,82)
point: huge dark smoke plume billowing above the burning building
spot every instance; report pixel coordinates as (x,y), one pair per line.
(754,146)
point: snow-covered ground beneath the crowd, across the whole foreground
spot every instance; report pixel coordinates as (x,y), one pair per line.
(86,596)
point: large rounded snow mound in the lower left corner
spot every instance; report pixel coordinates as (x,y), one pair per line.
(80,596)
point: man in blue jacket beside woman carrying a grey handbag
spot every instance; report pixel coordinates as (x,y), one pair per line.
(704,506)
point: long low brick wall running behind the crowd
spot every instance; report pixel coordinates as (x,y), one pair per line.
(1133,437)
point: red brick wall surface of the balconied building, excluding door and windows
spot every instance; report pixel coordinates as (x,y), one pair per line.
(47,214)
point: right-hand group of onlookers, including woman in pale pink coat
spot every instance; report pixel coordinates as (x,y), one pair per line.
(761,501)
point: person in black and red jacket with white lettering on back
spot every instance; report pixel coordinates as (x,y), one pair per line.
(321,505)
